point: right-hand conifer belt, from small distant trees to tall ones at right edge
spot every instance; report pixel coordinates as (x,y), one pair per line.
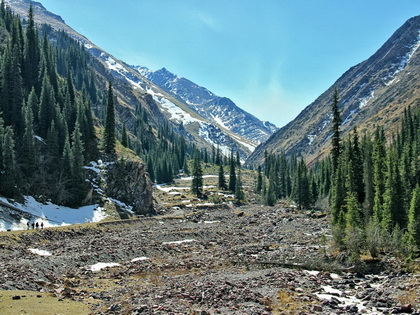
(371,183)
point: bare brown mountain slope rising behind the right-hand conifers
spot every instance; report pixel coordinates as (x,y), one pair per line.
(374,92)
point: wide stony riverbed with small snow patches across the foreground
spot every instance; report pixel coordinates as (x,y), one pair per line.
(247,260)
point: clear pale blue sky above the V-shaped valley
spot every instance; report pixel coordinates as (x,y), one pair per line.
(271,57)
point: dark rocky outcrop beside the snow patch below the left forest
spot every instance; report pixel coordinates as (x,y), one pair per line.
(127,181)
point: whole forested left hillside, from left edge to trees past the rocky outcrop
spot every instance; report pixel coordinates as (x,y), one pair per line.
(53,104)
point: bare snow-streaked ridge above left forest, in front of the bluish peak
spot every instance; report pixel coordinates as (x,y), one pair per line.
(133,90)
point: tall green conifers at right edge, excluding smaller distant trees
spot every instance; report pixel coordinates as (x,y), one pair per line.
(375,190)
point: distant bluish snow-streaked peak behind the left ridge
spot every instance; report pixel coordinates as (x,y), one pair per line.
(219,110)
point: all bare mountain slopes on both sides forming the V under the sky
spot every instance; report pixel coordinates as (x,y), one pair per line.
(374,92)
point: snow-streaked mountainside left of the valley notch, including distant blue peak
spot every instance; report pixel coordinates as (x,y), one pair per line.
(206,119)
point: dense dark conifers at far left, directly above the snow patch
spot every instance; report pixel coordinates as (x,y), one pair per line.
(46,123)
